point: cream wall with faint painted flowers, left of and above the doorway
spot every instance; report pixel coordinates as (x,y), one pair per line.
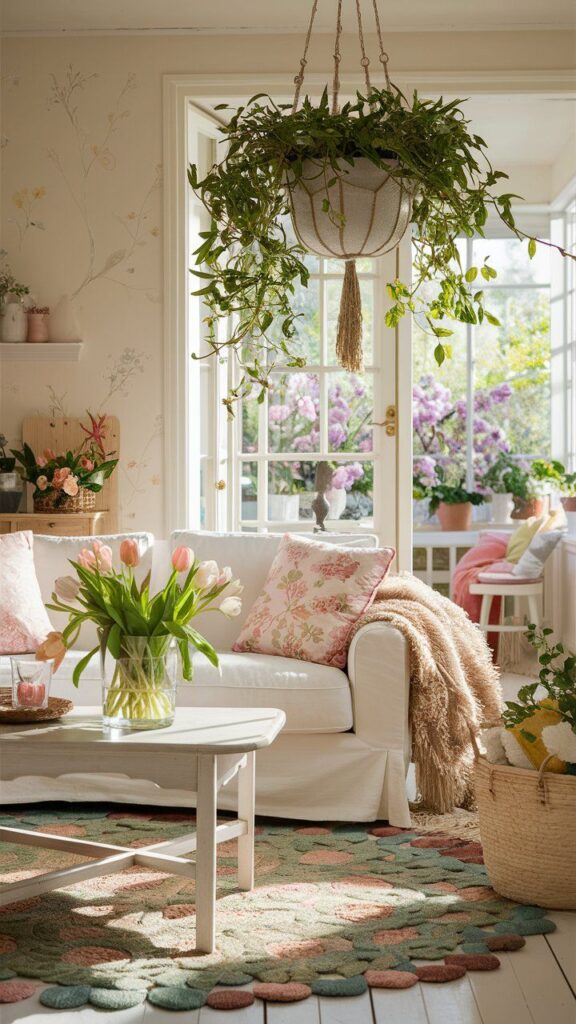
(81,123)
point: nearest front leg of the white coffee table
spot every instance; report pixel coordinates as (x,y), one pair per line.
(207,855)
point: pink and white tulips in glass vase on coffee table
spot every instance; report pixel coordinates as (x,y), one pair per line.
(140,630)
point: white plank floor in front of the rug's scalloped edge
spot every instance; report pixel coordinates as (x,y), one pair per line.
(537,986)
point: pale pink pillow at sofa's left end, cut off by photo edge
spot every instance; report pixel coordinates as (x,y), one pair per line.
(24,620)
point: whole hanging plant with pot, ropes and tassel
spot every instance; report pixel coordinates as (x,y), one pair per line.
(353,180)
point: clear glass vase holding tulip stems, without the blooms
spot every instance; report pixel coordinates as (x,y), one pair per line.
(140,688)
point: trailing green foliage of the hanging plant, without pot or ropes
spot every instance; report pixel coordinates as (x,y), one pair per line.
(250,268)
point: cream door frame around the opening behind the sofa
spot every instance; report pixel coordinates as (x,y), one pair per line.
(204,91)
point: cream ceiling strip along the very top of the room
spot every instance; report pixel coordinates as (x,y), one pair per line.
(278,16)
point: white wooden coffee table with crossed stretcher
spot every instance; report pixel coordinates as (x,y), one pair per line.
(202,751)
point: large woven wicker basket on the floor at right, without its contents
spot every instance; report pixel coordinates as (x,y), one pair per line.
(528,830)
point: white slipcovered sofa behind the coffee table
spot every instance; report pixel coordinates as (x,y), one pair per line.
(345,751)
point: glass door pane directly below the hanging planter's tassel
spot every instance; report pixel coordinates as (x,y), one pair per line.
(350,413)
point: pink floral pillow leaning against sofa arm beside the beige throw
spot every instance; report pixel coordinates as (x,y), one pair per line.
(314,595)
